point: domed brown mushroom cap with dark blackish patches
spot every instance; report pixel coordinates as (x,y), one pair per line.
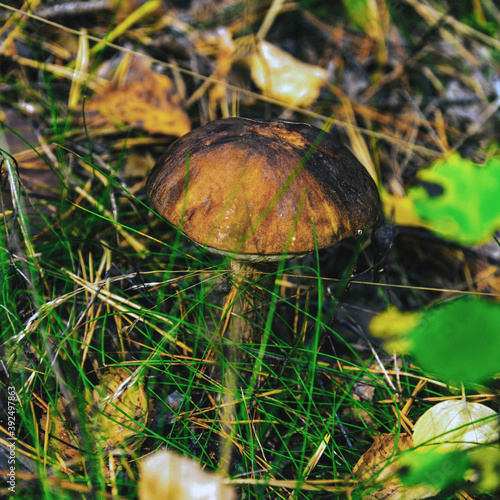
(247,180)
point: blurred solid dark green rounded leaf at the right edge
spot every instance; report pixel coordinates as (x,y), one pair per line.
(459,341)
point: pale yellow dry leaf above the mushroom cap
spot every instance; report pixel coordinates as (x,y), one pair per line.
(280,76)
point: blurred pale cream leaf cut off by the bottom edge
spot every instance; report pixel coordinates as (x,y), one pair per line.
(167,475)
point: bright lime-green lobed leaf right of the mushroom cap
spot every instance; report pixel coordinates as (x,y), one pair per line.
(468,209)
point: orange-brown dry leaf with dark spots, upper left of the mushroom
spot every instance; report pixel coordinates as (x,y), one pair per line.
(142,99)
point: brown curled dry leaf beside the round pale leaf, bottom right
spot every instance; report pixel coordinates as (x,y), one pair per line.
(379,466)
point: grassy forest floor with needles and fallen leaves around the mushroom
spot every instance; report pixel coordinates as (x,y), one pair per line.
(114,325)
